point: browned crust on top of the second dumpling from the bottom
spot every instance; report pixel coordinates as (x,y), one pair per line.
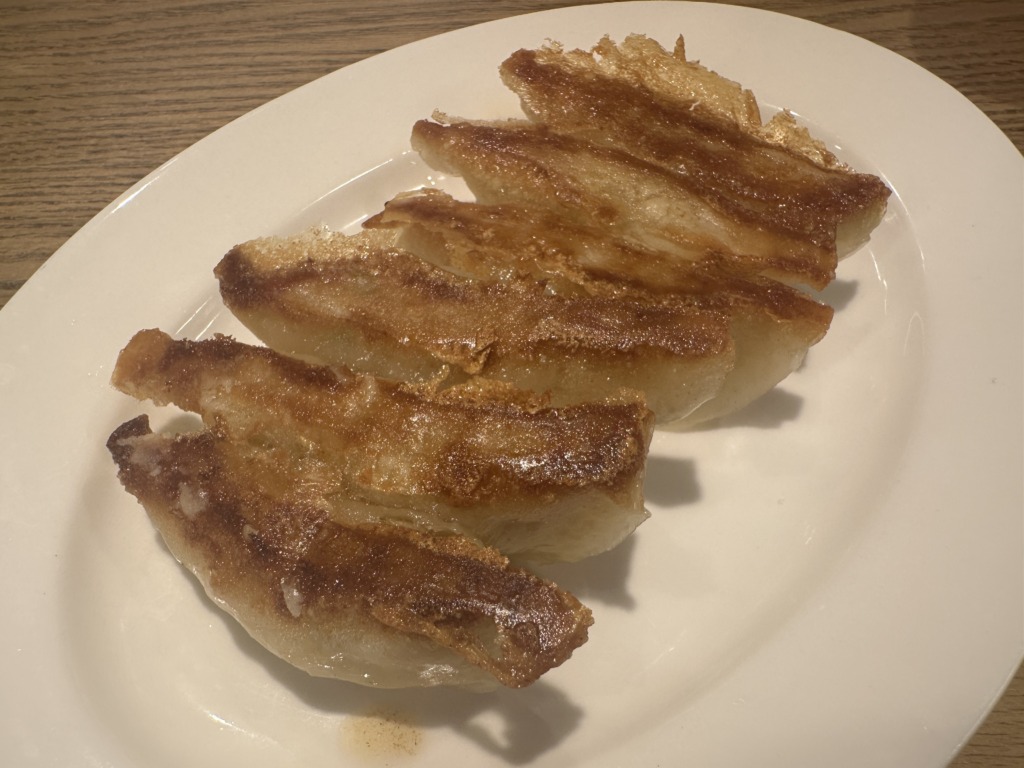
(461,447)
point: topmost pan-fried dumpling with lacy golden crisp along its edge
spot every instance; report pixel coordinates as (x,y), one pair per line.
(797,206)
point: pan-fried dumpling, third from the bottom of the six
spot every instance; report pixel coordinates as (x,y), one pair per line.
(360,302)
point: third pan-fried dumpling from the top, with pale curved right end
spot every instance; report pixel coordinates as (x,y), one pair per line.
(772,325)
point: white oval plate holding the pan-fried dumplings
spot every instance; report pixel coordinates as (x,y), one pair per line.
(833,577)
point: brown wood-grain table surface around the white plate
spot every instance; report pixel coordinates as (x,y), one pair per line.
(95,95)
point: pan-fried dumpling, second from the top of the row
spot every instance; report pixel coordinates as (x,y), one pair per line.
(529,163)
